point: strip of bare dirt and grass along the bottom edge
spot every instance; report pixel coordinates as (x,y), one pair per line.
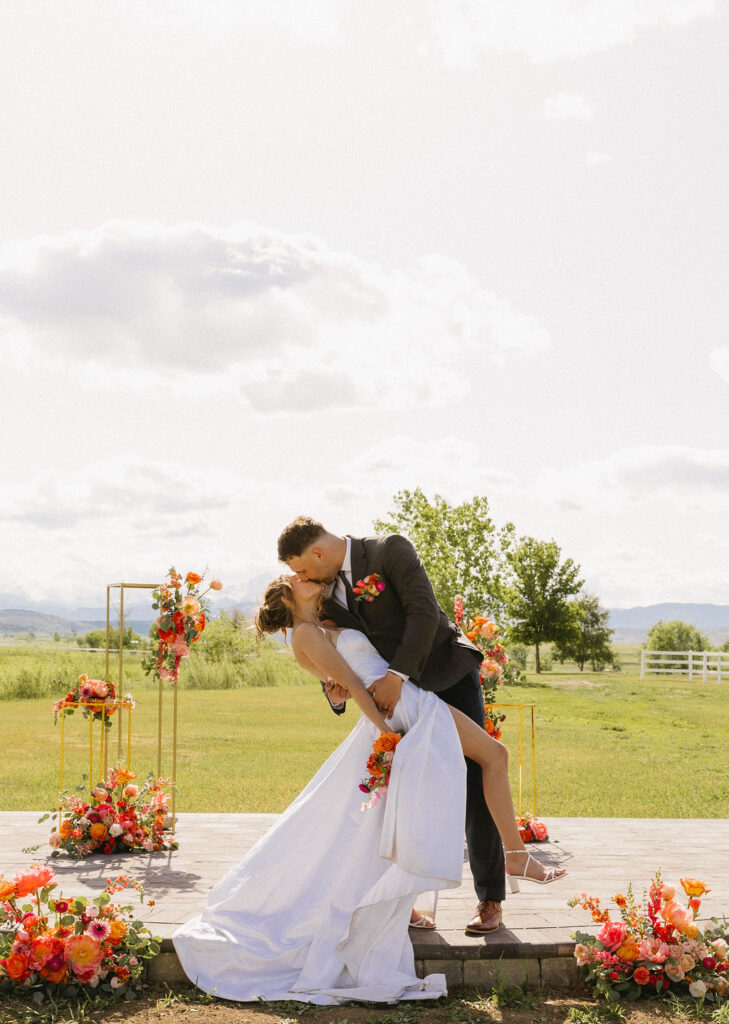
(189,1007)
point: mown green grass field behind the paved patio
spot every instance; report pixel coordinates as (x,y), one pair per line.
(608,745)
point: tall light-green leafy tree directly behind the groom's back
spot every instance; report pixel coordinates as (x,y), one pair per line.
(461,548)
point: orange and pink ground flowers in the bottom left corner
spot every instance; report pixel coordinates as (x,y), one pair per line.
(54,947)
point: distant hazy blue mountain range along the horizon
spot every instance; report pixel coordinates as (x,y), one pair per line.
(630,625)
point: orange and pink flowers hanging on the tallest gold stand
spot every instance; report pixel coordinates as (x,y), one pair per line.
(181,623)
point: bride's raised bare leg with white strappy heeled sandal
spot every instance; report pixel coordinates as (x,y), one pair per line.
(494,759)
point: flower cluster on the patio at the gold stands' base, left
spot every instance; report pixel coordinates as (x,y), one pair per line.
(118,818)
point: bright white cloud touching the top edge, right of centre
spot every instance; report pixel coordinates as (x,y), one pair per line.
(548,30)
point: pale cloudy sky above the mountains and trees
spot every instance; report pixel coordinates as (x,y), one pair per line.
(262,259)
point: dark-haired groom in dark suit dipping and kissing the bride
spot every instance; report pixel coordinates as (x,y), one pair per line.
(408,627)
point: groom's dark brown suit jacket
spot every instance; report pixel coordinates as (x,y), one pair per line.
(405,622)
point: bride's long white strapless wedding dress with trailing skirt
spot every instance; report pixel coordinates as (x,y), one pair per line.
(319,910)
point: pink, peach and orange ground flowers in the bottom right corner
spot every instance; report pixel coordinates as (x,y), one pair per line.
(655,947)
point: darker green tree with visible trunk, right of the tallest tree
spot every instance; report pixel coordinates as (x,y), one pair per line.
(538,603)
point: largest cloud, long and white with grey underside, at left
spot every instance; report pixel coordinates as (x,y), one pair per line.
(283,318)
